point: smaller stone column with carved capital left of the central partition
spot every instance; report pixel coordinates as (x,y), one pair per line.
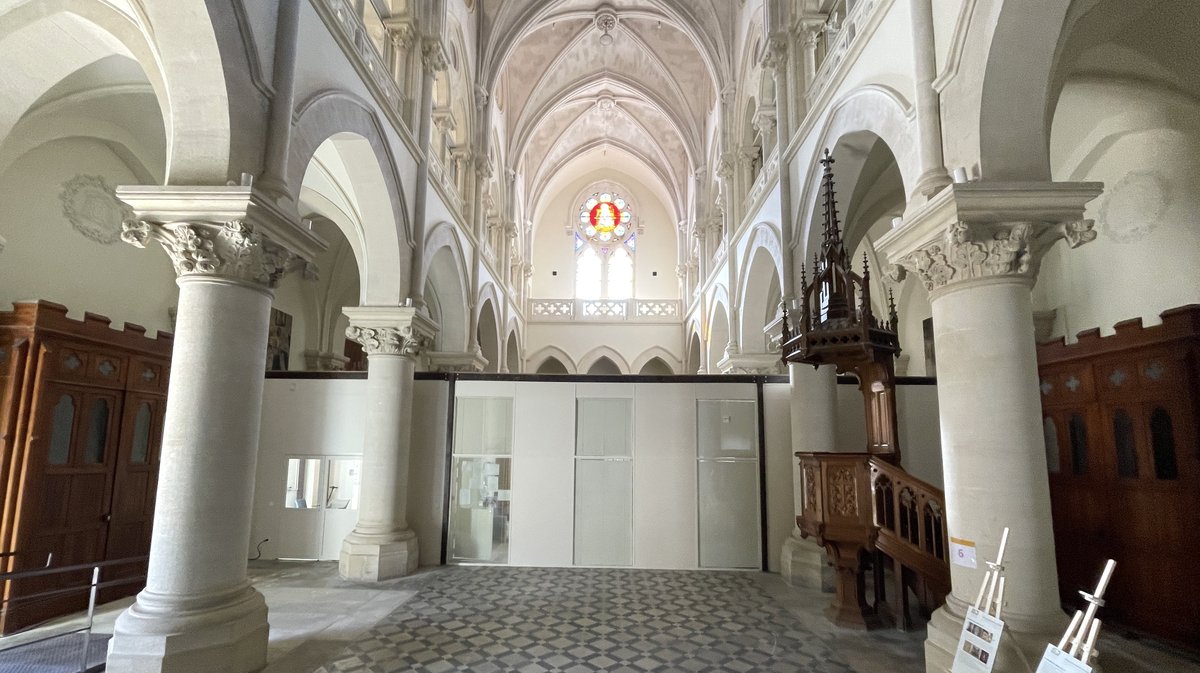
(382,546)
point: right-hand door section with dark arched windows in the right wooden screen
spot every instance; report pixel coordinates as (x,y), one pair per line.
(1154,476)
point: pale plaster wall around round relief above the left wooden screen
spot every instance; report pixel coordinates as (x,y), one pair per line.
(47,259)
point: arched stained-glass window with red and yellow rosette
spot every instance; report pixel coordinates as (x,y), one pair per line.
(604,249)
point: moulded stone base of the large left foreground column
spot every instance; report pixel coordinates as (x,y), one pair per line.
(166,635)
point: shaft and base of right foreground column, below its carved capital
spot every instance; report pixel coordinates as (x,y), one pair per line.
(994,452)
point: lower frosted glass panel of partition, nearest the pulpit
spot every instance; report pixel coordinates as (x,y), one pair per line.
(729,514)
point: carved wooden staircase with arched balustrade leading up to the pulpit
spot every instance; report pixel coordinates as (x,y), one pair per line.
(910,516)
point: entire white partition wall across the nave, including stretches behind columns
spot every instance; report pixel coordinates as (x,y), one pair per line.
(321,420)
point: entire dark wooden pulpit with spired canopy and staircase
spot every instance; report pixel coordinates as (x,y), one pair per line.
(860,503)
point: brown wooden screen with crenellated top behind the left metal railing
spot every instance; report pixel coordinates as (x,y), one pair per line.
(81,425)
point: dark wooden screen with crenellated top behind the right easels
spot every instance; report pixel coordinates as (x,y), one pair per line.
(1120,417)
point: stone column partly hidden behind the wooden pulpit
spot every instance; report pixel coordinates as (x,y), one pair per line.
(814,429)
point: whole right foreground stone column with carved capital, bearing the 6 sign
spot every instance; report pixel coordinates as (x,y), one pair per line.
(976,248)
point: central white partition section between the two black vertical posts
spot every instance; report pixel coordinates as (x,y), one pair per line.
(610,474)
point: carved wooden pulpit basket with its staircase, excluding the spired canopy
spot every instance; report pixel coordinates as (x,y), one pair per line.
(855,503)
